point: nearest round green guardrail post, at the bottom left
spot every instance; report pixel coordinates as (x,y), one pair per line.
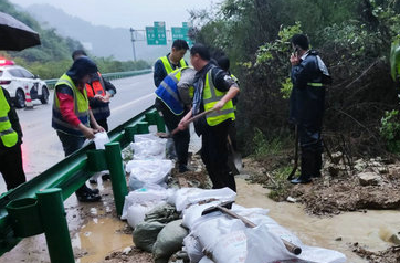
(55,225)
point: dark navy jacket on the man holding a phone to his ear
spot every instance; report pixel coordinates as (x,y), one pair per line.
(308,94)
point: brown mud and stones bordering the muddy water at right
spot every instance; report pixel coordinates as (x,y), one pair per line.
(370,185)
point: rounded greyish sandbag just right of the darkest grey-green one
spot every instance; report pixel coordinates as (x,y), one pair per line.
(169,241)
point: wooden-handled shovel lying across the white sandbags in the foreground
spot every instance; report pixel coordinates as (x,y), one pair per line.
(292,248)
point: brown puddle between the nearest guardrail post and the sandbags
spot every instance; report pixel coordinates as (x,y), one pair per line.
(100,237)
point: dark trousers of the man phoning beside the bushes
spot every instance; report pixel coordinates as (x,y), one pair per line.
(311,151)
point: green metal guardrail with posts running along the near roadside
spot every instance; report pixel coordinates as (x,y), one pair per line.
(63,179)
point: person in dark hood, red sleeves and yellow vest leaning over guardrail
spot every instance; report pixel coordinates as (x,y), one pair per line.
(72,117)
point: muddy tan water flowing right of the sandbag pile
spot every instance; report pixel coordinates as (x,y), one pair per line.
(372,228)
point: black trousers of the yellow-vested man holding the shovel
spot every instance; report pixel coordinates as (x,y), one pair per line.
(215,152)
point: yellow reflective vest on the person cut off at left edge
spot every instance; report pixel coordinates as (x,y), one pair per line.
(8,136)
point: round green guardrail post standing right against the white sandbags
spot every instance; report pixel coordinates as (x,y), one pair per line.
(116,167)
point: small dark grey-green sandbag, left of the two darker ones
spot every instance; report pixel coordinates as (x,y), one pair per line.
(145,235)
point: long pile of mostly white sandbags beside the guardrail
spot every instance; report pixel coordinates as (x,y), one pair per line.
(167,221)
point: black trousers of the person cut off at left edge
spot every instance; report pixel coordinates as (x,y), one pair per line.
(11,166)
